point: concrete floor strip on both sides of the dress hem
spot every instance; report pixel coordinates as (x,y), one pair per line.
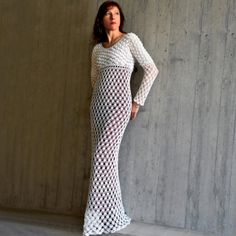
(19,224)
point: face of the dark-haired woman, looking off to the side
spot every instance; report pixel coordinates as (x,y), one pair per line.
(111,20)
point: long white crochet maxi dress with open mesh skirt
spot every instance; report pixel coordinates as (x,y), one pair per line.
(110,112)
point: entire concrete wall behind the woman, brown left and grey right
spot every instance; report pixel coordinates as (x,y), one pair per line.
(177,160)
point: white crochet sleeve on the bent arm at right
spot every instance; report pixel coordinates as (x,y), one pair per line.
(150,70)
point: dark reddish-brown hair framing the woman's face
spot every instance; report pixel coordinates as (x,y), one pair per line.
(99,32)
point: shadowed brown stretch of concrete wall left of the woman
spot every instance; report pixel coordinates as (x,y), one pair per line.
(44,112)
